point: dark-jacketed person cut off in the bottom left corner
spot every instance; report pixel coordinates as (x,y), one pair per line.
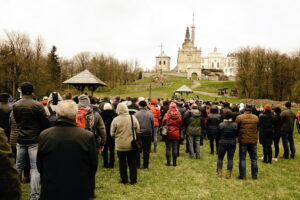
(10,187)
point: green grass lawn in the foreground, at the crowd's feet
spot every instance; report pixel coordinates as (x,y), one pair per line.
(196,179)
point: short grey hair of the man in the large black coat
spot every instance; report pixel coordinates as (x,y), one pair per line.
(67,109)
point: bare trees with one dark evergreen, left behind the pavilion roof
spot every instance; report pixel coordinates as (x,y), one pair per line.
(22,59)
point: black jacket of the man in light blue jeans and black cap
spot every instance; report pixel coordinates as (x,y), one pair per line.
(31,119)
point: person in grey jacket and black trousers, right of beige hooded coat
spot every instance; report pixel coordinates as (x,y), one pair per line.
(146,121)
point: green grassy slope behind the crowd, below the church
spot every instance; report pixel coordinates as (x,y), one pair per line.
(142,88)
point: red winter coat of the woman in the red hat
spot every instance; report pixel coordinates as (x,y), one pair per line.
(174,120)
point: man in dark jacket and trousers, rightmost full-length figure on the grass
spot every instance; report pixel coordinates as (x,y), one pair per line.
(287,131)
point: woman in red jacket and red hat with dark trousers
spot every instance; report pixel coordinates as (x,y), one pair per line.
(174,121)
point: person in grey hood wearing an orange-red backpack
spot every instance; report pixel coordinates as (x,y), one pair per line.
(90,120)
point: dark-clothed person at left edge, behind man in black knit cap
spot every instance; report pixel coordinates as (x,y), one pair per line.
(5,110)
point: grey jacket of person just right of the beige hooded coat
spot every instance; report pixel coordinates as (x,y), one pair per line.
(146,122)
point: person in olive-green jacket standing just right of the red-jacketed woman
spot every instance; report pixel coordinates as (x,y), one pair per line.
(193,122)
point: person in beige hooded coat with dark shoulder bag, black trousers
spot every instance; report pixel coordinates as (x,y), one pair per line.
(121,130)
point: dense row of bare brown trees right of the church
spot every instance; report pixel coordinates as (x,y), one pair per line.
(266,73)
